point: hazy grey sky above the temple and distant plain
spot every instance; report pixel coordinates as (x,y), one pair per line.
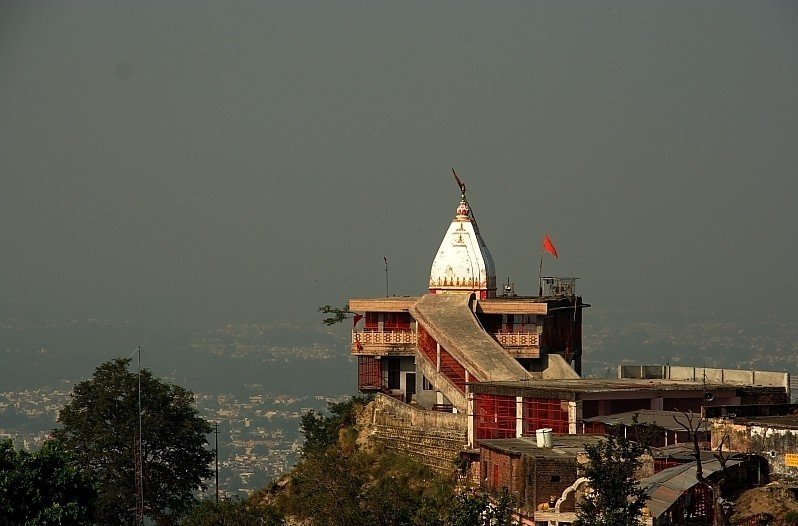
(256,159)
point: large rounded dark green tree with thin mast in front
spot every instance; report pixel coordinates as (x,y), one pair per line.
(100,426)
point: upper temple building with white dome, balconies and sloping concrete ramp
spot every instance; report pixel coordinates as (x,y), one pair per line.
(426,349)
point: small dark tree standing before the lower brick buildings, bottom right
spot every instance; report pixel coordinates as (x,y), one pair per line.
(616,498)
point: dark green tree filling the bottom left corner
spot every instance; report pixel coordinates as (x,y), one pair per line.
(45,488)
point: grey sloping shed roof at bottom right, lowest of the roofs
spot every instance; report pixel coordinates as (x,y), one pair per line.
(665,488)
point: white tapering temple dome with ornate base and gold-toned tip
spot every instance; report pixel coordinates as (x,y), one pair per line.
(463,263)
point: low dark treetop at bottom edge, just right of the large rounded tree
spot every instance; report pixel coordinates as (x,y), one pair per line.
(232,512)
